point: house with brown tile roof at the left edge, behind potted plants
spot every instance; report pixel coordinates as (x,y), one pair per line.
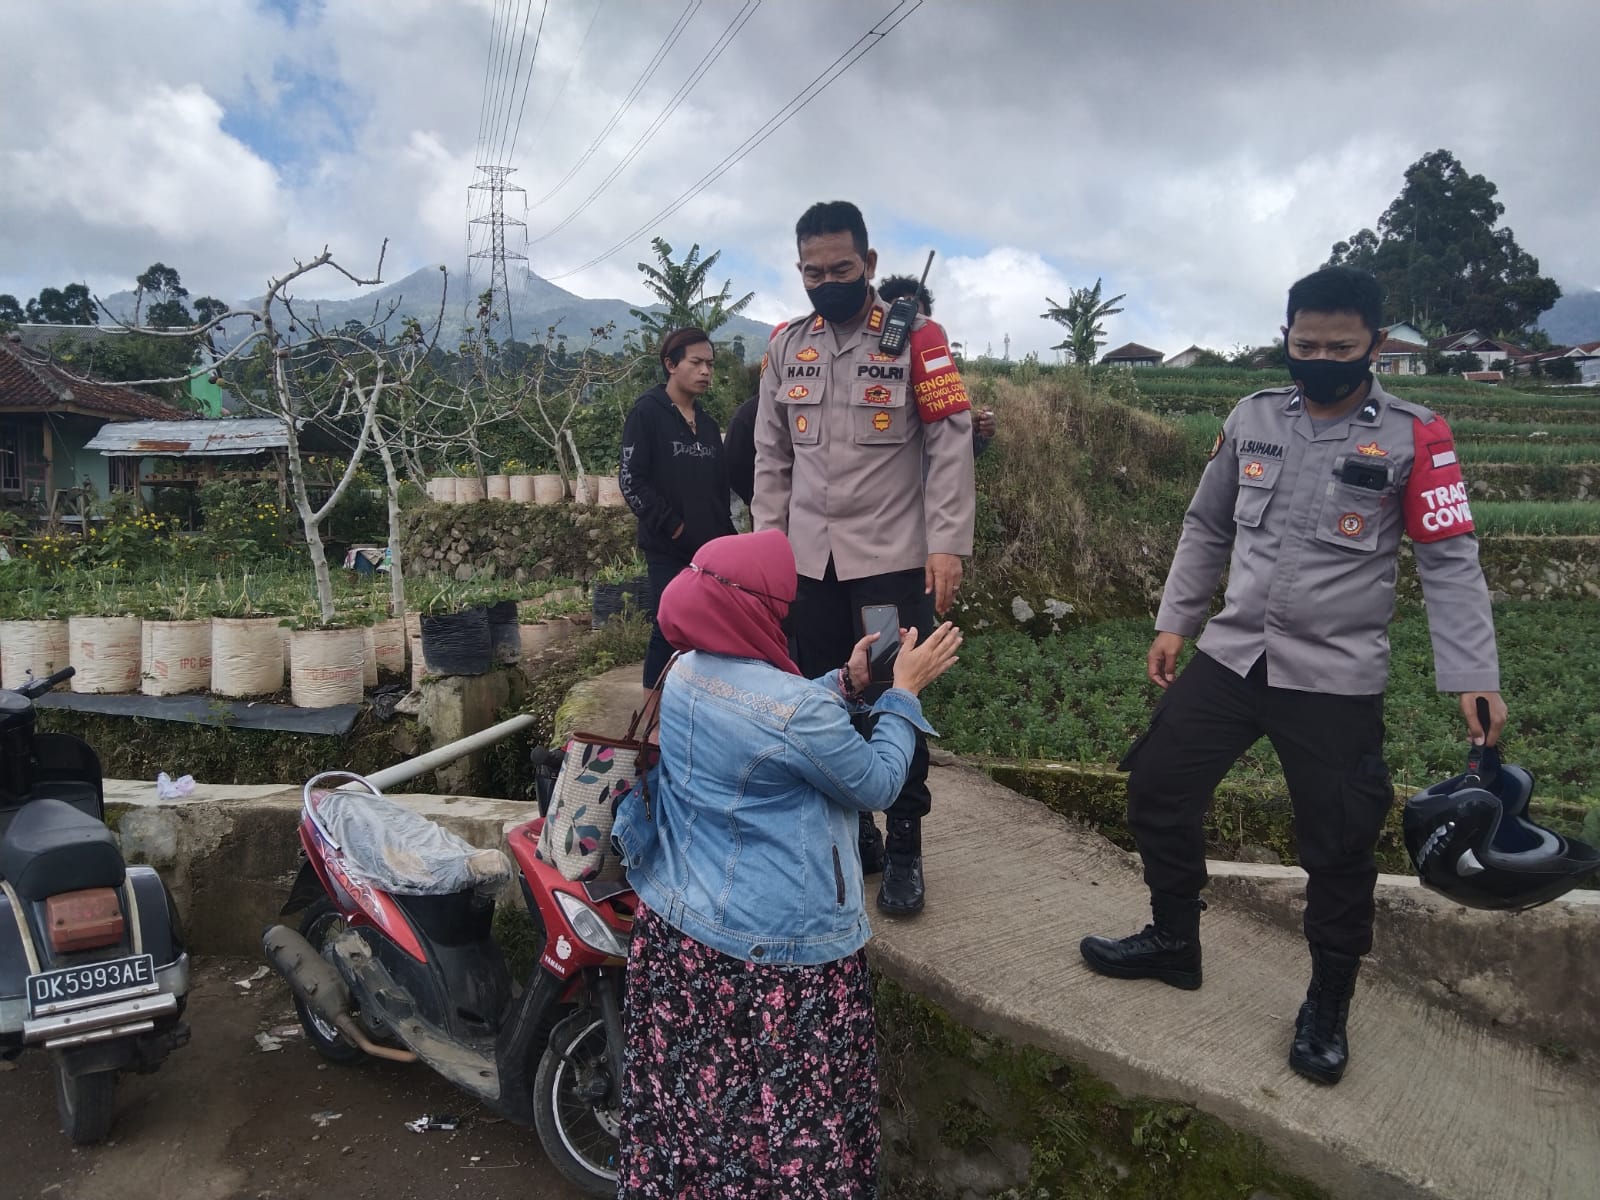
(47,418)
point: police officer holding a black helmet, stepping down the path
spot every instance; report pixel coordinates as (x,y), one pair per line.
(1305,502)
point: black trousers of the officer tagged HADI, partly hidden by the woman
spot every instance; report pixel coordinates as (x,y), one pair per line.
(826,625)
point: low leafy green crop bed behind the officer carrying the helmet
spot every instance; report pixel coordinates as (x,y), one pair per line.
(1081,697)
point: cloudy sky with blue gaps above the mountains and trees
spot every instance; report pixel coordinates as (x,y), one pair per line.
(1194,156)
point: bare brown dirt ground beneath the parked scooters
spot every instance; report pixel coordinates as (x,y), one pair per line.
(226,1121)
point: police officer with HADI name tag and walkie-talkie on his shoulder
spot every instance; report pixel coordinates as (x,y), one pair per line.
(866,462)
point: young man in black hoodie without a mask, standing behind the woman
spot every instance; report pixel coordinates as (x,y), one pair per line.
(674,476)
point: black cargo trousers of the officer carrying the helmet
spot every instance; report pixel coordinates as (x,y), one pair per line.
(1332,756)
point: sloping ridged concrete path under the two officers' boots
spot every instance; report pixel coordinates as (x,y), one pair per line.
(1433,1106)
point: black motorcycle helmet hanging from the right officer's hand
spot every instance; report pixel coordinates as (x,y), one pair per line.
(1471,839)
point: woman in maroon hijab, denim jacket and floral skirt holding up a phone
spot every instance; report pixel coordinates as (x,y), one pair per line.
(751,1058)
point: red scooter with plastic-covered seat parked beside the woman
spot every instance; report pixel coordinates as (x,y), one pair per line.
(418,977)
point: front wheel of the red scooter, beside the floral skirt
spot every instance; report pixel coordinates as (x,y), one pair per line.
(577,1126)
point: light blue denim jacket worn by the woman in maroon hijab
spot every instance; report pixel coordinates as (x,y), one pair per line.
(750,846)
